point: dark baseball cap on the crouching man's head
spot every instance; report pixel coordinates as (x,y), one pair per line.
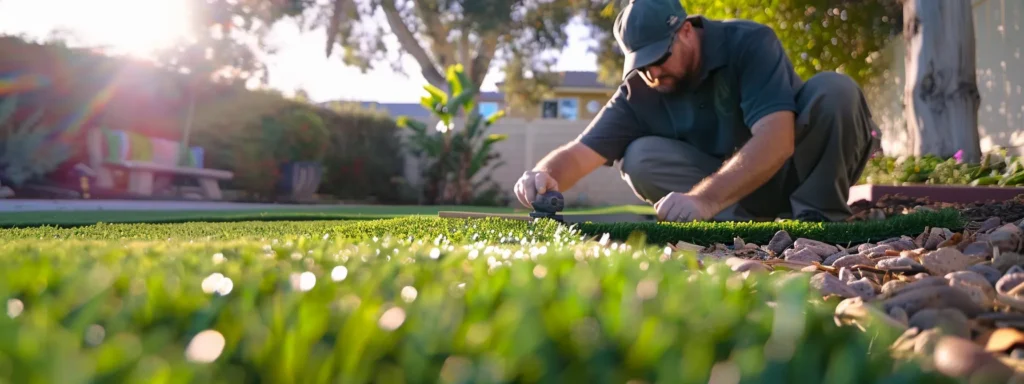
(645,31)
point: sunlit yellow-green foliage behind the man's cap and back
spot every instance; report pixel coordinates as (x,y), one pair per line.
(819,35)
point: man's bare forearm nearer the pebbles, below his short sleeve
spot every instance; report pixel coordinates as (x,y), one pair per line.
(754,165)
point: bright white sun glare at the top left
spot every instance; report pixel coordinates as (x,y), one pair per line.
(133,27)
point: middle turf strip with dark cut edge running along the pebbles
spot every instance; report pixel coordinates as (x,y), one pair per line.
(493,230)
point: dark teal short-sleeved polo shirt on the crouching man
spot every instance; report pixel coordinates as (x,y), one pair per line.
(745,76)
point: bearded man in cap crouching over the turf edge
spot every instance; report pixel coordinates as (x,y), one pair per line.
(712,122)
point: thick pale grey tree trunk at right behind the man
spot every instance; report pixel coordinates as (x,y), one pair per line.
(942,92)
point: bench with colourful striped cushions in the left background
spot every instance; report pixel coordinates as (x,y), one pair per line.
(147,162)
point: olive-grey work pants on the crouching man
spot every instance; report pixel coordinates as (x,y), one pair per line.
(834,142)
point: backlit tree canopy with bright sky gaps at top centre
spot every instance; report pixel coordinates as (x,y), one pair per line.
(440,34)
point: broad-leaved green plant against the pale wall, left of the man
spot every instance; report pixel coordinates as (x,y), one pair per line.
(458,160)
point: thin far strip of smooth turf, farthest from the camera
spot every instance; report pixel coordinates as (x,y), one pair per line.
(286,214)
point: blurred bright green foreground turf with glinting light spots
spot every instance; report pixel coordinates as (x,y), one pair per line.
(320,303)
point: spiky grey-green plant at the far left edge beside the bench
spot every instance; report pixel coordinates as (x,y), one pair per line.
(29,149)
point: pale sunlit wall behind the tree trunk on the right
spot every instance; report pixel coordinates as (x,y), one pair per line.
(1000,41)
